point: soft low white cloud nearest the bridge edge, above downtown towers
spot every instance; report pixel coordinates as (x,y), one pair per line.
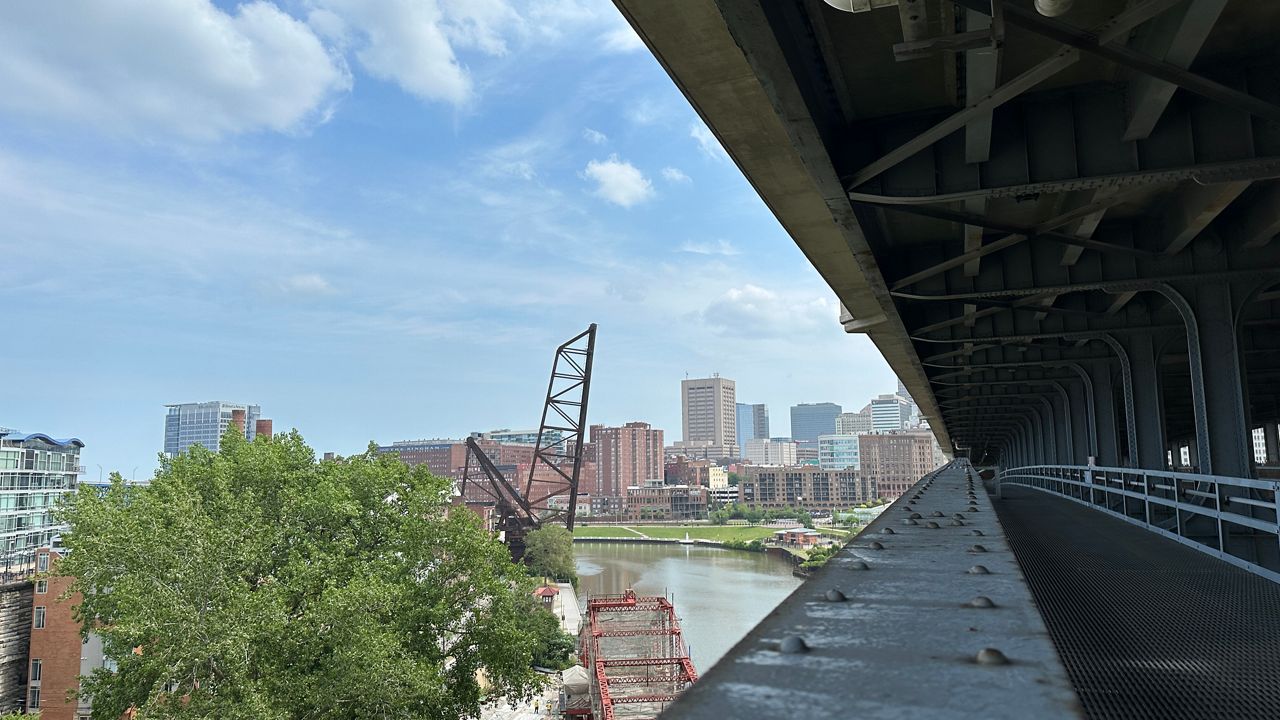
(764,313)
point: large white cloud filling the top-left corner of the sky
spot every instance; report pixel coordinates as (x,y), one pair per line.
(175,67)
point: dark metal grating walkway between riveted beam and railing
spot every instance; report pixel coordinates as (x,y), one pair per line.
(1146,627)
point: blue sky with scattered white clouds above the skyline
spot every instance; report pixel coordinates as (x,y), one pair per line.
(377,220)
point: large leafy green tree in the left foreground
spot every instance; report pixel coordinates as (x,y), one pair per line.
(257,584)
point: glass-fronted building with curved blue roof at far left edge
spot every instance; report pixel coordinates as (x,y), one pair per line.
(36,472)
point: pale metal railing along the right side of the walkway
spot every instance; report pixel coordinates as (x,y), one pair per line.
(1235,520)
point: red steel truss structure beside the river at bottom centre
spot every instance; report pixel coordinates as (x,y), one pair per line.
(636,654)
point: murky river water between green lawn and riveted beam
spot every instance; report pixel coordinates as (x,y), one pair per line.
(719,594)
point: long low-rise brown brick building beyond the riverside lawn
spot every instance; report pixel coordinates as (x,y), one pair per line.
(803,486)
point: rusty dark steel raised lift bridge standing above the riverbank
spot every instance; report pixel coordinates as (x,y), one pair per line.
(550,494)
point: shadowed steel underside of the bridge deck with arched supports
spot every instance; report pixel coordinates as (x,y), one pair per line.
(1059,233)
